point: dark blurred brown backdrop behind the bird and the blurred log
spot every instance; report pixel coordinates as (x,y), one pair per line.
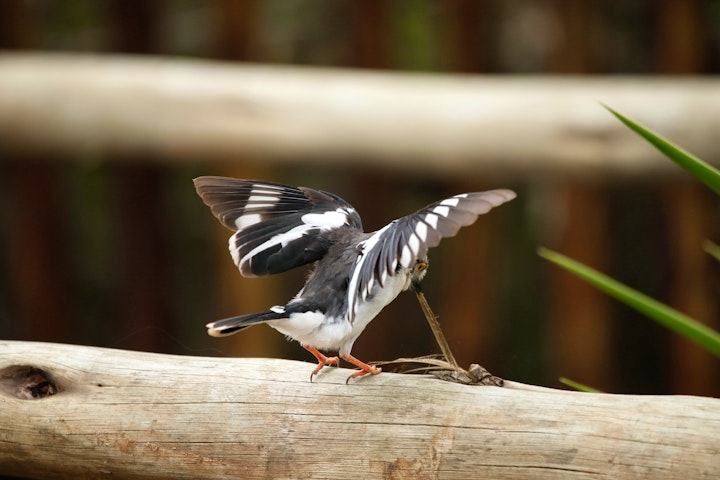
(123,254)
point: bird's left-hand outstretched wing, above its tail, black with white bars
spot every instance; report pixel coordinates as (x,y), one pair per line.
(277,227)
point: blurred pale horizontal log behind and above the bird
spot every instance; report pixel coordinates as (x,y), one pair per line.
(117,107)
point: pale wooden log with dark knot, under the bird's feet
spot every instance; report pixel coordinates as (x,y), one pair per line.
(122,414)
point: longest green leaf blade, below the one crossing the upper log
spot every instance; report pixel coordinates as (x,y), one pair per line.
(670,318)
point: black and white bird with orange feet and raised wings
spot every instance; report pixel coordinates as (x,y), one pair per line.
(356,274)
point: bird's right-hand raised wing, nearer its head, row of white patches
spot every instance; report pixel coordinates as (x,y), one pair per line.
(406,240)
